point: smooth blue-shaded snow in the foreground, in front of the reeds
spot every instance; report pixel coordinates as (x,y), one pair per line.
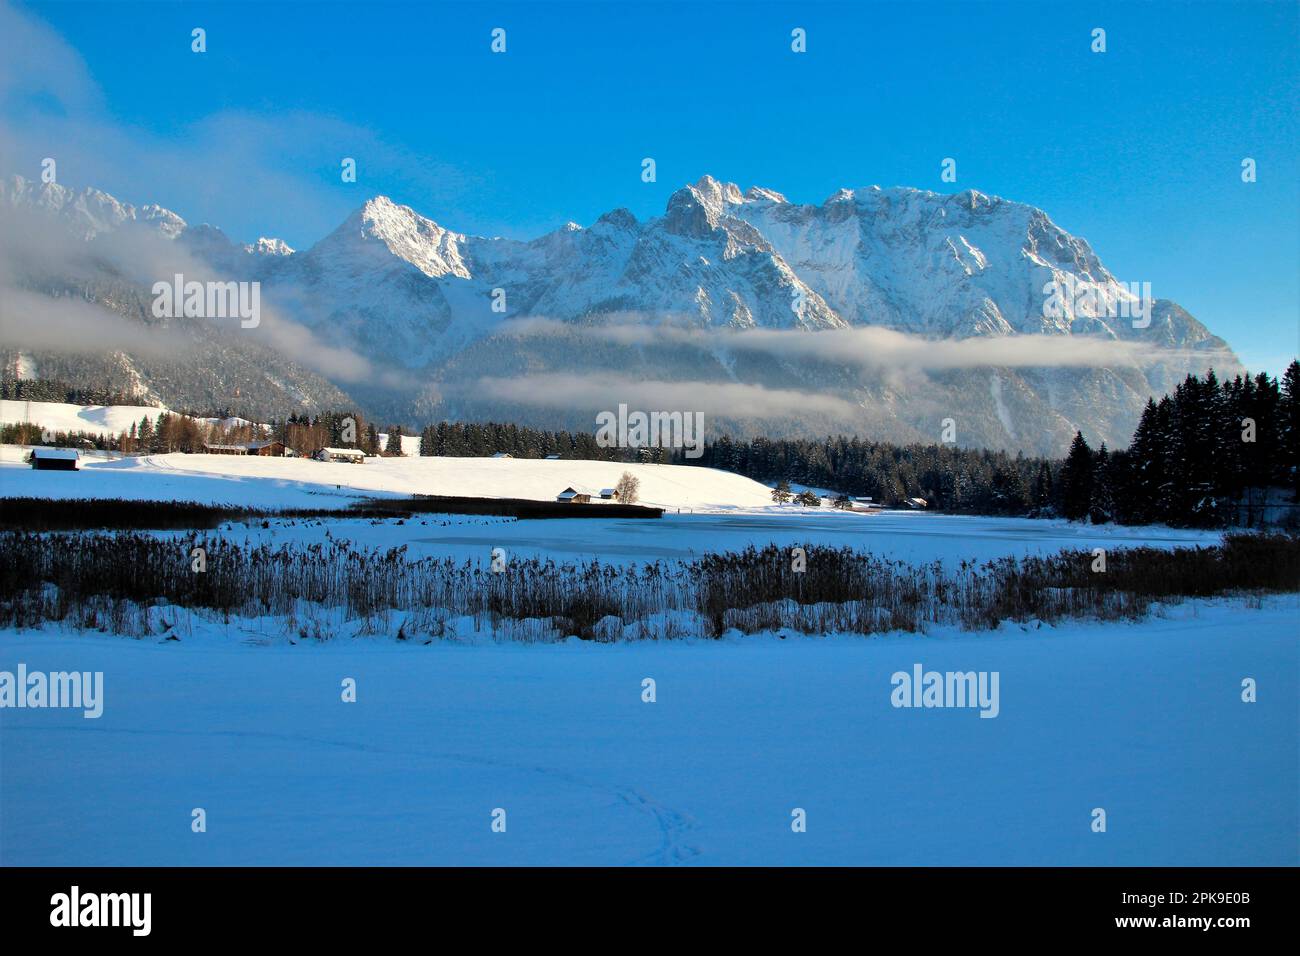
(1145,721)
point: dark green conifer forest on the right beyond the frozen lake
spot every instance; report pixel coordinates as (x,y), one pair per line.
(1214,453)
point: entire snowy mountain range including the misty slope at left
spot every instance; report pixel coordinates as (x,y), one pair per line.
(881,313)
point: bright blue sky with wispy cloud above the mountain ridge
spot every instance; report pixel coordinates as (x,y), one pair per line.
(1138,149)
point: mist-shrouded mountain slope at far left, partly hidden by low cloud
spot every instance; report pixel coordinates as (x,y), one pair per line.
(64,250)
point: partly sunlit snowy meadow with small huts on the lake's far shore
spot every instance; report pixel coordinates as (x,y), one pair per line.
(304,483)
